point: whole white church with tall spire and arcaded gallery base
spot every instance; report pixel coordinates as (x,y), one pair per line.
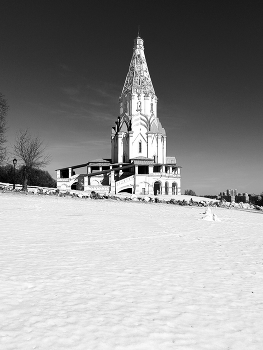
(138,163)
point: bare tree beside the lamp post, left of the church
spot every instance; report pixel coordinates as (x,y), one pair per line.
(31,151)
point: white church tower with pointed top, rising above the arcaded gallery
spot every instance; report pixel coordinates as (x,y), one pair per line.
(138,132)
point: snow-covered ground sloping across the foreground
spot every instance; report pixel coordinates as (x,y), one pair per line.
(101,274)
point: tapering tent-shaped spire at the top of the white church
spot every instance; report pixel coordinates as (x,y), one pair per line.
(138,80)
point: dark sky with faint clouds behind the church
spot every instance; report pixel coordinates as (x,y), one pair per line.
(63,65)
